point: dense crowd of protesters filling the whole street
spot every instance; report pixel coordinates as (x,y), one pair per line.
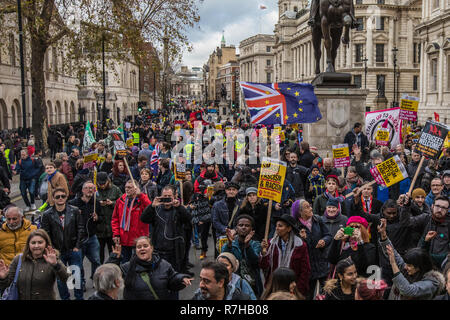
(331,237)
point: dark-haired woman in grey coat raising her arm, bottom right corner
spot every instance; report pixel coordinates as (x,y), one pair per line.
(414,274)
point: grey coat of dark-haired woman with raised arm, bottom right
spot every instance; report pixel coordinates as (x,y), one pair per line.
(431,285)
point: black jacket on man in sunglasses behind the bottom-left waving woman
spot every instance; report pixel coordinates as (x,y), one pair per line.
(69,237)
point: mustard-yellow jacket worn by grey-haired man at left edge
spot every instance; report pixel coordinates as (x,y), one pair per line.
(13,242)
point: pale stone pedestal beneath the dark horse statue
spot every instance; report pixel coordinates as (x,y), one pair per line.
(340,108)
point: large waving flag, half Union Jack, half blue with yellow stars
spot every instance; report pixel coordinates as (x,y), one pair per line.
(281,103)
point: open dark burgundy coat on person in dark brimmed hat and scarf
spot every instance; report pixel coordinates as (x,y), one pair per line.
(299,264)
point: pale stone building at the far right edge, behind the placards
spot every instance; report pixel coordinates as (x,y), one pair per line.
(434,54)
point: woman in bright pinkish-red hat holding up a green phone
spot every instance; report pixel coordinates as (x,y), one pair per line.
(354,242)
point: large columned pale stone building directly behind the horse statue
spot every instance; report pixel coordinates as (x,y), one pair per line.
(384,25)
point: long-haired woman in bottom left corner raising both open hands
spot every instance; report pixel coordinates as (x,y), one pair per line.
(38,267)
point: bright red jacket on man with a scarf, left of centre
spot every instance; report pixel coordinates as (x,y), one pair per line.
(137,228)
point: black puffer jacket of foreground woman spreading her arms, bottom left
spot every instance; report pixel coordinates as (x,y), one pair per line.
(163,278)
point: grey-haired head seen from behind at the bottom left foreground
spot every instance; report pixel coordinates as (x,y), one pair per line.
(108,282)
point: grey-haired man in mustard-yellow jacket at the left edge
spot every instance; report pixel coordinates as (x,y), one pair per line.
(14,233)
